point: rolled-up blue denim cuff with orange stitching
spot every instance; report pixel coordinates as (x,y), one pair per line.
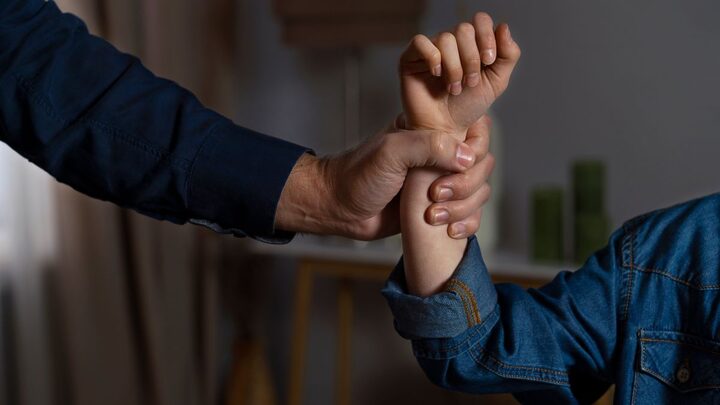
(469,298)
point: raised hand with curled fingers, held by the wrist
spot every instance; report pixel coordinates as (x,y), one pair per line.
(433,73)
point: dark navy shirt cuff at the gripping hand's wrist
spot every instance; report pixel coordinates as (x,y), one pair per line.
(236,182)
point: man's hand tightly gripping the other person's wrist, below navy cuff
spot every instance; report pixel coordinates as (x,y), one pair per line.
(355,194)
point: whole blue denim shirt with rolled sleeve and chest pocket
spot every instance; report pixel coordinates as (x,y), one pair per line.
(642,313)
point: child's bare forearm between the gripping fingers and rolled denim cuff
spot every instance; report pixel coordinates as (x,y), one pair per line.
(430,255)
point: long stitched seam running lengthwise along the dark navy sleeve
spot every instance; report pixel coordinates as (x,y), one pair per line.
(36,97)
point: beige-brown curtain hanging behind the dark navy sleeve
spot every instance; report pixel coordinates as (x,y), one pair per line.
(134,297)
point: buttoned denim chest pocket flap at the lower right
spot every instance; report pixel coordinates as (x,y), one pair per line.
(682,361)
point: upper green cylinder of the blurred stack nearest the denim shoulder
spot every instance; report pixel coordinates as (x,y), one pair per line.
(588,177)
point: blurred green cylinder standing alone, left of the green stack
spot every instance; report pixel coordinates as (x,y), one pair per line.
(547,224)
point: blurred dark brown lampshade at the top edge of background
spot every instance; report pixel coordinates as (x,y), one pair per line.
(348,23)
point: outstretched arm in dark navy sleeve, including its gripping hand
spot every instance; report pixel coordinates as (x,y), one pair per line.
(97,120)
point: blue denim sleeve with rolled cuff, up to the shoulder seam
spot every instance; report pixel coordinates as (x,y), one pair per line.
(554,344)
